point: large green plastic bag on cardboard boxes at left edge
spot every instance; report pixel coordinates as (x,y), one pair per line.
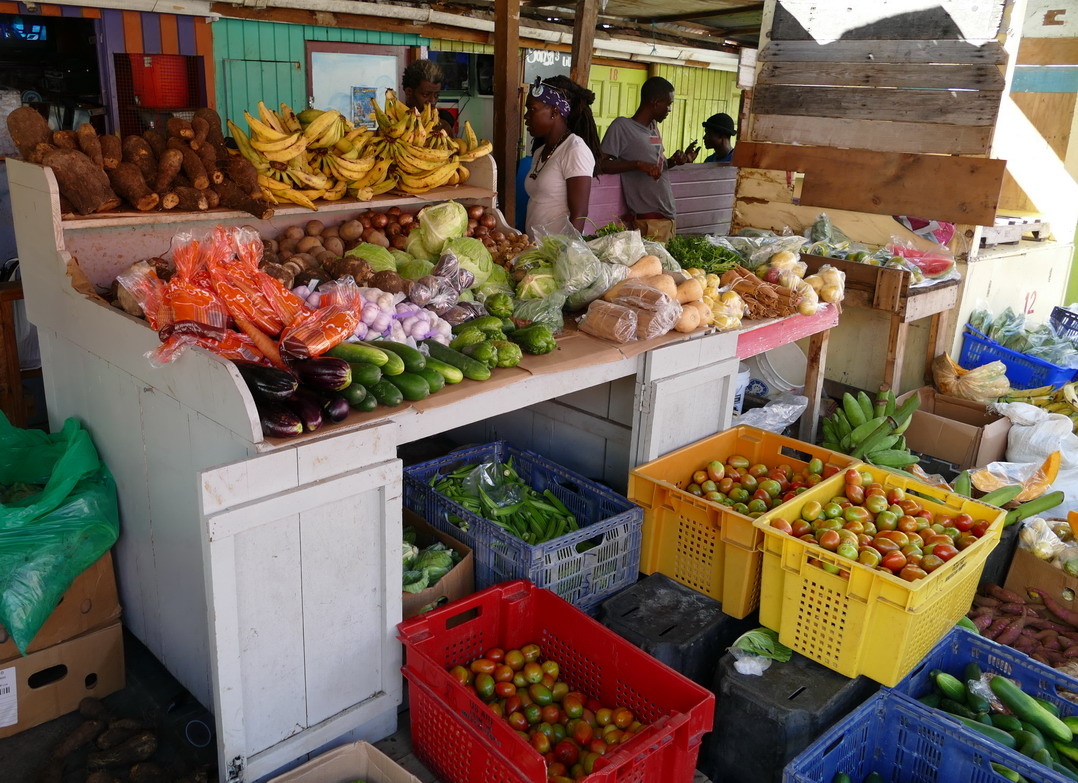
(59,515)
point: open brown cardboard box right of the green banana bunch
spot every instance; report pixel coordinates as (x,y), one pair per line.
(957,431)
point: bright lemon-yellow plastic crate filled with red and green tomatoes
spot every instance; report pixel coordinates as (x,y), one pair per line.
(872,623)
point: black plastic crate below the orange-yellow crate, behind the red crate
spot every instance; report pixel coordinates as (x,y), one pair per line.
(674,624)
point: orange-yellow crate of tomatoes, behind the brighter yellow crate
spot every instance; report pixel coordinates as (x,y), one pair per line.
(701,544)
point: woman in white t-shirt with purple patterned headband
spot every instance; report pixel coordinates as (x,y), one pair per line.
(560,184)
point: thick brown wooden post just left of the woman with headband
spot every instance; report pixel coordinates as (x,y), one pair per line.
(507,107)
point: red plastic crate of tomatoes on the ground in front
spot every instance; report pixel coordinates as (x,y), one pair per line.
(455,734)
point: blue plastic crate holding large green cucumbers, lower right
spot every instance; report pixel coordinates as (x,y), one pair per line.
(960,648)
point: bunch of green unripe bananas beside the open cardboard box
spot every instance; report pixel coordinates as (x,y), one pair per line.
(873,432)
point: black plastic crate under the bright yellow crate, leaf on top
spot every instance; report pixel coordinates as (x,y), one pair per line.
(763,723)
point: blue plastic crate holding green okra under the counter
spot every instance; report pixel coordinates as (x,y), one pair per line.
(609,520)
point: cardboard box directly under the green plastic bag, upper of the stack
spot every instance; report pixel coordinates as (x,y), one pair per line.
(89,605)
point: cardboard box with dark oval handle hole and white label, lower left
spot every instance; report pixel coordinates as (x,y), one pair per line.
(45,685)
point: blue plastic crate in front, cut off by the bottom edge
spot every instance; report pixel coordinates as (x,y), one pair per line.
(906,744)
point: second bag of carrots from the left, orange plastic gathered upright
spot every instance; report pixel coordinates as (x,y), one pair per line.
(196,308)
